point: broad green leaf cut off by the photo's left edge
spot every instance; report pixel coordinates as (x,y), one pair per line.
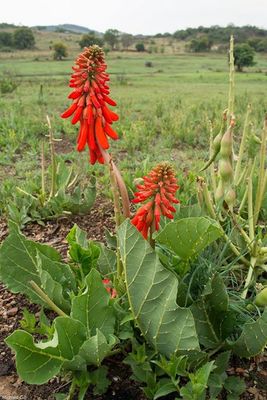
(18,262)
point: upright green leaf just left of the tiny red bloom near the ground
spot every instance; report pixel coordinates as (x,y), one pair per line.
(92,307)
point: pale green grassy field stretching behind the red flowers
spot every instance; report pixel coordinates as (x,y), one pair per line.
(164,109)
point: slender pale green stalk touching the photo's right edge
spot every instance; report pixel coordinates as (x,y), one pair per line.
(262,174)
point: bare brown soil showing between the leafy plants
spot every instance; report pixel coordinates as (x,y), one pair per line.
(122,387)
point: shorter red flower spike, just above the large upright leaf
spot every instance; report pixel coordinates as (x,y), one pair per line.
(159,188)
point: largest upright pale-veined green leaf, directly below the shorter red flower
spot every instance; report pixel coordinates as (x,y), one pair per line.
(152,291)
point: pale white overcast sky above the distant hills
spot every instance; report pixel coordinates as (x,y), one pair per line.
(135,16)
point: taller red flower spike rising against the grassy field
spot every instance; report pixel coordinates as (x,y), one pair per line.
(90,99)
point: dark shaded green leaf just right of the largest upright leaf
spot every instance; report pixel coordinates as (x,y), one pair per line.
(210,313)
